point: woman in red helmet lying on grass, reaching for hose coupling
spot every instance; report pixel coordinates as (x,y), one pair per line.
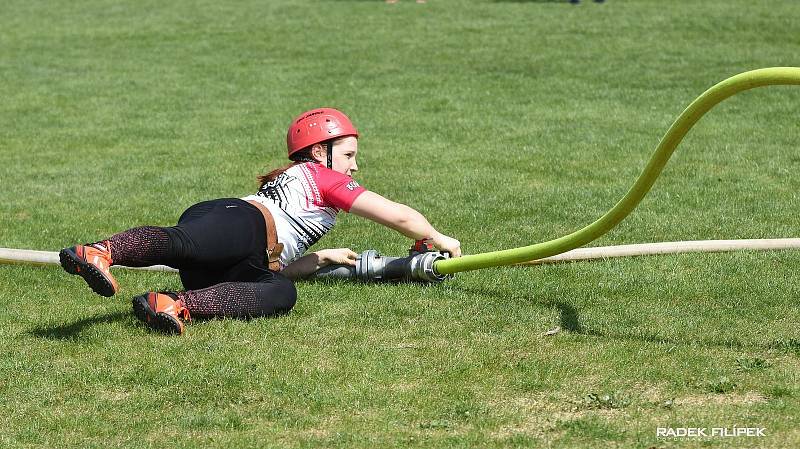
(238,257)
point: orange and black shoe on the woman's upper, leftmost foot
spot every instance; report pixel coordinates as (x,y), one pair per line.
(92,263)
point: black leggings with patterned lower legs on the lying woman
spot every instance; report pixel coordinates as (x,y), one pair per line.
(219,248)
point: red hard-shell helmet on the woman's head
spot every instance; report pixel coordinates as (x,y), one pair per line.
(317,126)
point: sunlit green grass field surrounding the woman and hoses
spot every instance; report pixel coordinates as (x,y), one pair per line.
(506,123)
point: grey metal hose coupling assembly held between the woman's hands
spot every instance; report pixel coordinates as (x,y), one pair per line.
(372,267)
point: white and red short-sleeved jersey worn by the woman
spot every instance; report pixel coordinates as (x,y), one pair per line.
(304,201)
